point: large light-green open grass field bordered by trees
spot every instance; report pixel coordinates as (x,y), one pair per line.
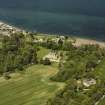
(31,87)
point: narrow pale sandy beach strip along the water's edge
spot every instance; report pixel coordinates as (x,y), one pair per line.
(79,40)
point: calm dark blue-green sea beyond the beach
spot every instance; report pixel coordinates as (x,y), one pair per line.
(84,18)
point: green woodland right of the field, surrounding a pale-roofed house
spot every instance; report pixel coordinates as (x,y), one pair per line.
(83,72)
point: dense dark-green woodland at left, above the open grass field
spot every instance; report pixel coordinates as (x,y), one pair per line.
(16,53)
